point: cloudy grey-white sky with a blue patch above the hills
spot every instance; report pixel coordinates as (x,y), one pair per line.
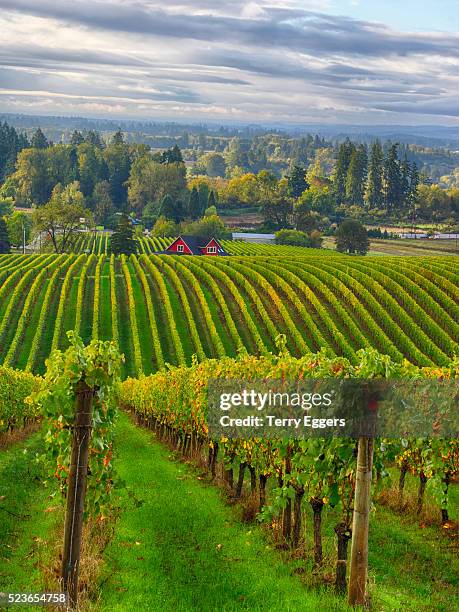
(333,61)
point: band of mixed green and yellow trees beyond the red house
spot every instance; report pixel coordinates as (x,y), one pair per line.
(306,184)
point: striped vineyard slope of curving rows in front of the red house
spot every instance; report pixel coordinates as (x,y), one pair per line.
(165,309)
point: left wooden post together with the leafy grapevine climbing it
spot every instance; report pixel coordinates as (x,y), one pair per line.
(77,399)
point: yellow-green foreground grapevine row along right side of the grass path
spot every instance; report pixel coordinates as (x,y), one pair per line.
(287,474)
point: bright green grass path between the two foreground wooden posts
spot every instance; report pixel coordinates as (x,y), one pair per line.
(185,550)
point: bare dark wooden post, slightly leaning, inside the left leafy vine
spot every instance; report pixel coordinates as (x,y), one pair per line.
(77,491)
